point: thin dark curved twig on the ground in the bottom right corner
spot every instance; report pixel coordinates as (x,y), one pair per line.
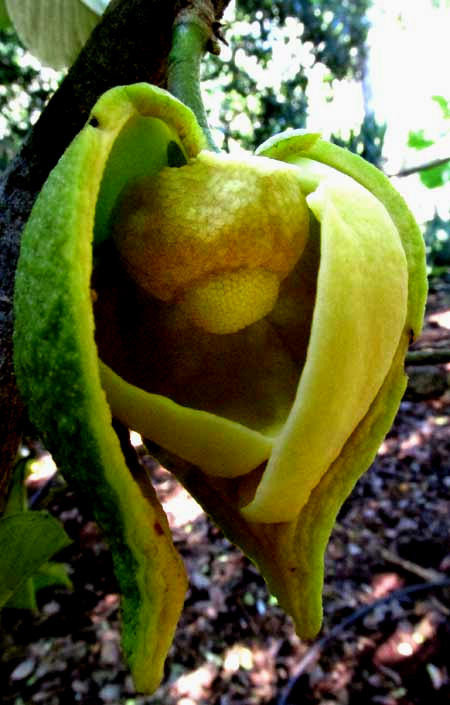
(316,649)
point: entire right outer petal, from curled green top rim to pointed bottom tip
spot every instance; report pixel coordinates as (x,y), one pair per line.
(294,566)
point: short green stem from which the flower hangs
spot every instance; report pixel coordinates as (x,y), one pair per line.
(189,42)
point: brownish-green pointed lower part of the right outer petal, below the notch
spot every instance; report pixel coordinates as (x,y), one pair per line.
(290,555)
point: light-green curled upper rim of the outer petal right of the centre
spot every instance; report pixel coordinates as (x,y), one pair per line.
(297,145)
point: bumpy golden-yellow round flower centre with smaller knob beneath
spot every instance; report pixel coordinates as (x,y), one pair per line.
(215,236)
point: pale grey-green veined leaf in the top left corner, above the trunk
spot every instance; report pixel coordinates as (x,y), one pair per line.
(54,32)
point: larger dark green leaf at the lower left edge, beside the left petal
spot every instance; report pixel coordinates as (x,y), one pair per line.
(27,540)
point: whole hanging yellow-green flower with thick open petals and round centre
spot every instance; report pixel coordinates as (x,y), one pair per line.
(252,317)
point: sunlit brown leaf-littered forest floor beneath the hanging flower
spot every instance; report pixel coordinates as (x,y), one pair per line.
(383,642)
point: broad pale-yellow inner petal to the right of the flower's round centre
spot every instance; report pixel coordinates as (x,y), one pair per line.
(358,319)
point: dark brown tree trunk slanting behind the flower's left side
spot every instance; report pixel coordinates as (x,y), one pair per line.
(130,44)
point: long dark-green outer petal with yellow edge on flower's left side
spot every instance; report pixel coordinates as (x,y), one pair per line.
(56,365)
